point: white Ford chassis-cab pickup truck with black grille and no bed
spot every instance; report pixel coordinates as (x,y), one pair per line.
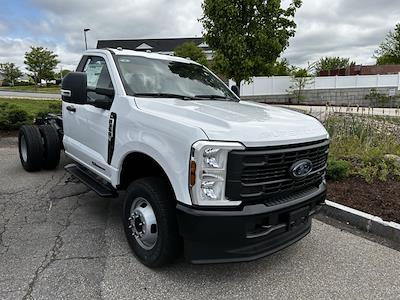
(223,179)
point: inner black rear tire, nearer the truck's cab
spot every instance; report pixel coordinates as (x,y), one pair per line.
(52,150)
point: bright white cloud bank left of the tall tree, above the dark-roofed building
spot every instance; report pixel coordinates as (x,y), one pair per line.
(61,27)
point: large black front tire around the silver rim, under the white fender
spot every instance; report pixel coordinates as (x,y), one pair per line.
(165,248)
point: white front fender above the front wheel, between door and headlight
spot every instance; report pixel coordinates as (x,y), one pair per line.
(165,141)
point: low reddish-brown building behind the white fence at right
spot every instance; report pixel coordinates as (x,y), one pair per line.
(363,70)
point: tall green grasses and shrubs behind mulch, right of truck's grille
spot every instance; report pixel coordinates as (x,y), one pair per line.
(363,142)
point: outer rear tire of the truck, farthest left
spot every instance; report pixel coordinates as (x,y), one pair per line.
(30,147)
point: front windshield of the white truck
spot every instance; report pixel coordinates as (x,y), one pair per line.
(163,78)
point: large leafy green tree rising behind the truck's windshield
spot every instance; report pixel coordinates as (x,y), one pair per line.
(247,36)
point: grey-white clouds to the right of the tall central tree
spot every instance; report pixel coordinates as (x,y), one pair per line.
(341,28)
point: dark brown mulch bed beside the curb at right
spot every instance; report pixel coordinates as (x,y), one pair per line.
(381,199)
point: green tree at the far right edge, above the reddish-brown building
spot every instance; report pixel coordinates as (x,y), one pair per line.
(389,51)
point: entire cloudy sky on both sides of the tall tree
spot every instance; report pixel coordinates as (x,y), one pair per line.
(348,28)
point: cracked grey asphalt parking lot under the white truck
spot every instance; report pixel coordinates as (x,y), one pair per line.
(59,240)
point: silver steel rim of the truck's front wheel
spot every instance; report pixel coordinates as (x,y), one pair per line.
(143,223)
